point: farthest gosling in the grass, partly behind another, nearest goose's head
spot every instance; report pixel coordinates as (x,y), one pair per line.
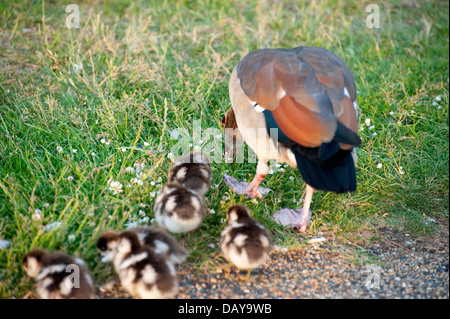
(192,171)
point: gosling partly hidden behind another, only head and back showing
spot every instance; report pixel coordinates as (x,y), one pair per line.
(157,239)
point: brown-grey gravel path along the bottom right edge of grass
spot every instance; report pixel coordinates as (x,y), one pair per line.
(396,266)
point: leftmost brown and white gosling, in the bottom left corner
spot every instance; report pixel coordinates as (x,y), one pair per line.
(59,275)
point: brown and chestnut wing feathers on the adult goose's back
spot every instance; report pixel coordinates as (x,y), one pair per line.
(304,89)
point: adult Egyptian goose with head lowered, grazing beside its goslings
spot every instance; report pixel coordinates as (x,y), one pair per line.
(301,103)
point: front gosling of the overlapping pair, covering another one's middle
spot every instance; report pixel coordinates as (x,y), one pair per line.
(142,272)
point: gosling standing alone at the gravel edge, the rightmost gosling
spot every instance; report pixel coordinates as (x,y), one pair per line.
(244,242)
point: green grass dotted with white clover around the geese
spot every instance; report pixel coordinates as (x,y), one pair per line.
(134,69)
